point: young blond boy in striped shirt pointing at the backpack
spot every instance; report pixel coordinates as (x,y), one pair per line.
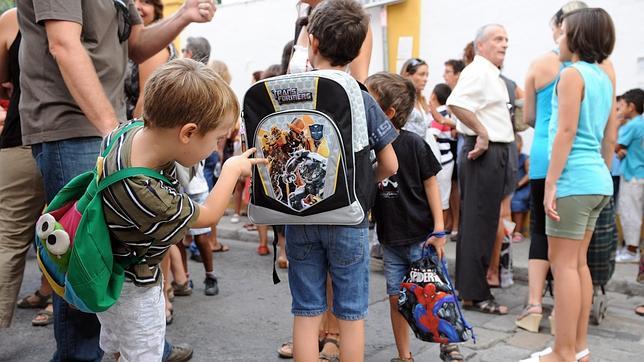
(187,108)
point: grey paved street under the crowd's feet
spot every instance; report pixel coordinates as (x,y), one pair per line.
(250,318)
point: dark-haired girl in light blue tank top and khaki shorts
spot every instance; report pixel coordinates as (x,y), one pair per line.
(578,183)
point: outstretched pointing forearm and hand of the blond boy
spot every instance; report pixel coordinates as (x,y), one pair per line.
(213,209)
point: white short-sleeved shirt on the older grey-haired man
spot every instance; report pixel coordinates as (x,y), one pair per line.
(481,91)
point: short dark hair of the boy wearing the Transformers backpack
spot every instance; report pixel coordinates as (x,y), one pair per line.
(341,27)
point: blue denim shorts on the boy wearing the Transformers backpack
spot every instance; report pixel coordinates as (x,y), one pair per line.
(315,250)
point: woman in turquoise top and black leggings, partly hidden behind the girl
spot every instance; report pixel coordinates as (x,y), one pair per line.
(539,86)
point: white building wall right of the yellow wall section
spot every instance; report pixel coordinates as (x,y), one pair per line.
(447,25)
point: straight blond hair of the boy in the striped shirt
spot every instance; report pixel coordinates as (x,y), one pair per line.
(186,91)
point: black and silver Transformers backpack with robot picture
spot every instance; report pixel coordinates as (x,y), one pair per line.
(312,128)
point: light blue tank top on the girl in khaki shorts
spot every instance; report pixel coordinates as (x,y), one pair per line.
(585,172)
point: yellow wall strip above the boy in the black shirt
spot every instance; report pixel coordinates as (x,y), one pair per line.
(403,20)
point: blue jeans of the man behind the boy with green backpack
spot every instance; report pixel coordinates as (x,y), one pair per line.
(77,333)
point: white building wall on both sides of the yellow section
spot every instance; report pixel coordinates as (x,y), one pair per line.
(249,34)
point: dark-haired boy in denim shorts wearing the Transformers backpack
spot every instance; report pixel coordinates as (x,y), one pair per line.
(337,29)
